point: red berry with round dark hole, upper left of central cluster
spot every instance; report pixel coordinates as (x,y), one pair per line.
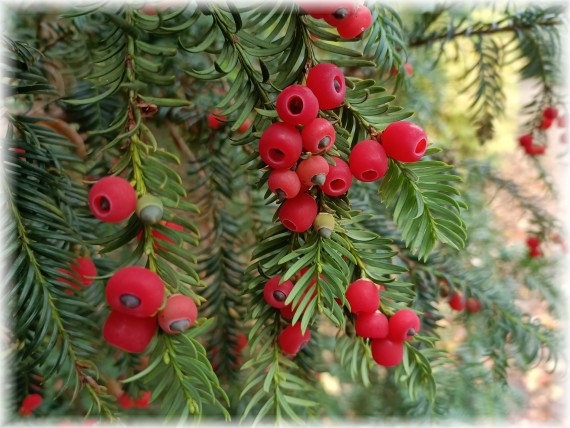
(297,105)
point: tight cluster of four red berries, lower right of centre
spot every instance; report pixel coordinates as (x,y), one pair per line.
(387,335)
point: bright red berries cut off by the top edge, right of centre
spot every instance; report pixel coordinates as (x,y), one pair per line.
(348,17)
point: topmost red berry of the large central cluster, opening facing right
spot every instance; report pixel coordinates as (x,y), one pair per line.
(327,83)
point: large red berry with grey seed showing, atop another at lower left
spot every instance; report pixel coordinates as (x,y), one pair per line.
(136,291)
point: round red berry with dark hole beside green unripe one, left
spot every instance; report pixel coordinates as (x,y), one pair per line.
(112,199)
